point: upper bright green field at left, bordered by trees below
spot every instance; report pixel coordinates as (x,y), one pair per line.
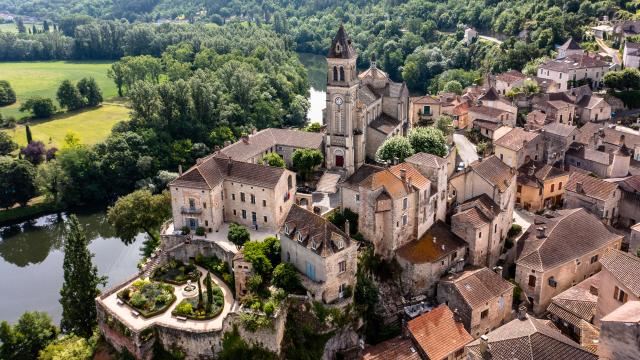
(42,78)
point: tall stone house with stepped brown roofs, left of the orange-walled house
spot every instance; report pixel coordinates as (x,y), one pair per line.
(483,221)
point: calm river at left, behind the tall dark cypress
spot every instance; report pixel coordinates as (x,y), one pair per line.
(31,256)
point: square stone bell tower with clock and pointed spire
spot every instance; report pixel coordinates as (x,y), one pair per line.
(342,86)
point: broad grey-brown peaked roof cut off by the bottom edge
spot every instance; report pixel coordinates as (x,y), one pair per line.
(529,339)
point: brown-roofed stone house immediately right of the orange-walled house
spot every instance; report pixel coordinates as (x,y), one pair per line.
(597,196)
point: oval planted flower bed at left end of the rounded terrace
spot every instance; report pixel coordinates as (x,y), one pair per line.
(148,298)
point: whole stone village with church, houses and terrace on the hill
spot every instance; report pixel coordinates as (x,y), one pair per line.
(521,240)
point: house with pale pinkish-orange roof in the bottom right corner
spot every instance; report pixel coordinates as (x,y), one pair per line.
(619,333)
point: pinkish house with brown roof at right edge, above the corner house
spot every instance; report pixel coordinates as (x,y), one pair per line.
(619,282)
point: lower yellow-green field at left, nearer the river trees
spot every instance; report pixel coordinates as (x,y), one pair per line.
(92,125)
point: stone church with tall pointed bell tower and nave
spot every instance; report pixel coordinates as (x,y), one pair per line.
(362,110)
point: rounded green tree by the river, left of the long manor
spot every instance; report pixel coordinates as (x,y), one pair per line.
(139,211)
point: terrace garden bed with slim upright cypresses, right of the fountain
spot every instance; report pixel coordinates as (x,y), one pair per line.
(203,306)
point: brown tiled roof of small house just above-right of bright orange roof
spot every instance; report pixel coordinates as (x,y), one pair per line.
(479,286)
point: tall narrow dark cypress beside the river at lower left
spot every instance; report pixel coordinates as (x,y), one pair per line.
(81,281)
